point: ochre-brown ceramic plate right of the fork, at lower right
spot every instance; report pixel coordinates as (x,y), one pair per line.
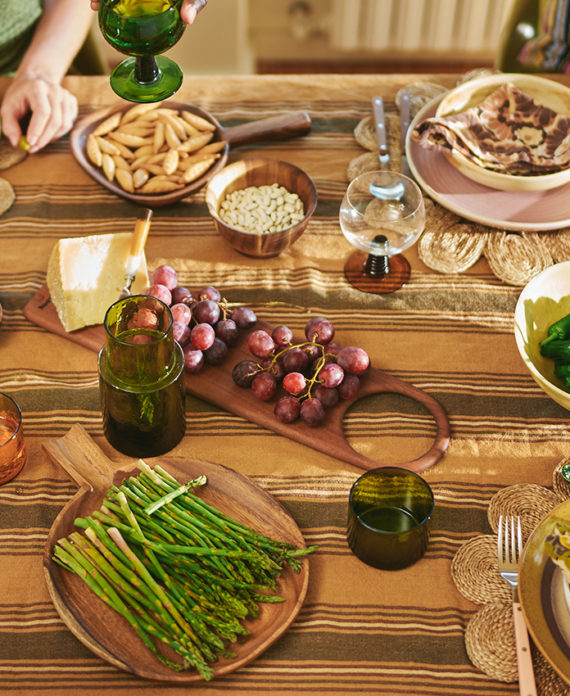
(543,596)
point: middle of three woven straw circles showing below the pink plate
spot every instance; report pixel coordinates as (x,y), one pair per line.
(515,257)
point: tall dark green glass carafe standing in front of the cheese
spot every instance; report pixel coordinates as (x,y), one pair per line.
(141,378)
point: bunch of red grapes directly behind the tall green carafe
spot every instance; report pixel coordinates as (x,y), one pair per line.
(205,325)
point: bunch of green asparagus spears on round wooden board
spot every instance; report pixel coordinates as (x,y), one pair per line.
(180,572)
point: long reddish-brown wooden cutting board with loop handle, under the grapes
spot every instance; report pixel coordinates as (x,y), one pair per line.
(215,384)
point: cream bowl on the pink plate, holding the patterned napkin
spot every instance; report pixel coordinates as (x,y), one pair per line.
(544,91)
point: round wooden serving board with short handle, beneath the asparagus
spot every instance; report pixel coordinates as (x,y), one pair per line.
(108,634)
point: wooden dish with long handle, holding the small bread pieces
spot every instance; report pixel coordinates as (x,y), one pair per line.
(287,125)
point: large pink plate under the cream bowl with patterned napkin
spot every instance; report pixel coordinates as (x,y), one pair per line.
(507,210)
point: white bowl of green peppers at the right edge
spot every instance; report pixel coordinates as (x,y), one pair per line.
(542,302)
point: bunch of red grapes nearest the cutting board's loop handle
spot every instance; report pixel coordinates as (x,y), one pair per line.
(313,374)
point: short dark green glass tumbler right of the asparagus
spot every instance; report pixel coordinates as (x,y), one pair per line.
(389,510)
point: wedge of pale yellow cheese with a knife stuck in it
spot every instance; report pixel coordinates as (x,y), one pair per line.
(85,277)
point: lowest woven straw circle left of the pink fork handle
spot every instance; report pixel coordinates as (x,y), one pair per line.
(490,642)
